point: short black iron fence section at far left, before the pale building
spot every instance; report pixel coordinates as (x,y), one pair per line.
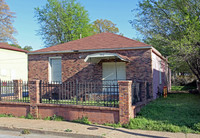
(14,91)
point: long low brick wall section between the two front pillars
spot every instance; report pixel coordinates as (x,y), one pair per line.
(72,112)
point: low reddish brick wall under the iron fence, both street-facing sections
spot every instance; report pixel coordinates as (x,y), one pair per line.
(69,112)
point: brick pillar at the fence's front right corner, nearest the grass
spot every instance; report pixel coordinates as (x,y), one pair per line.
(125,101)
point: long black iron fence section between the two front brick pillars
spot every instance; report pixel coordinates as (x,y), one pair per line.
(95,93)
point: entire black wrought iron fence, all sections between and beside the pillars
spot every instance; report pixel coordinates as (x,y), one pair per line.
(93,93)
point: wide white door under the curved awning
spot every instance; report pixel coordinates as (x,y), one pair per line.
(112,72)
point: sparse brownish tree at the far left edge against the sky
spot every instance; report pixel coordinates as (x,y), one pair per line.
(6,19)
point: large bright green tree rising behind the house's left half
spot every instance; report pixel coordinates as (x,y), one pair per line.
(62,21)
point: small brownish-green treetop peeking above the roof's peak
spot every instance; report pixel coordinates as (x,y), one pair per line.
(104,26)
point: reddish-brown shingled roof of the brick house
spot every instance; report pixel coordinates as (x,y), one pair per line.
(100,41)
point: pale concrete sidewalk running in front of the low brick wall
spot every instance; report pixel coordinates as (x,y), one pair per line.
(78,130)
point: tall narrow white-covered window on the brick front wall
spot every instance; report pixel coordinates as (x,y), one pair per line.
(55,70)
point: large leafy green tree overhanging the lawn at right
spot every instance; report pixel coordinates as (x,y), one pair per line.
(172,27)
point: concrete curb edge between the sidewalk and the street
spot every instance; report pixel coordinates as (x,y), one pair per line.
(69,134)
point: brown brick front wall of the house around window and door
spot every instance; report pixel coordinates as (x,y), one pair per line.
(74,67)
